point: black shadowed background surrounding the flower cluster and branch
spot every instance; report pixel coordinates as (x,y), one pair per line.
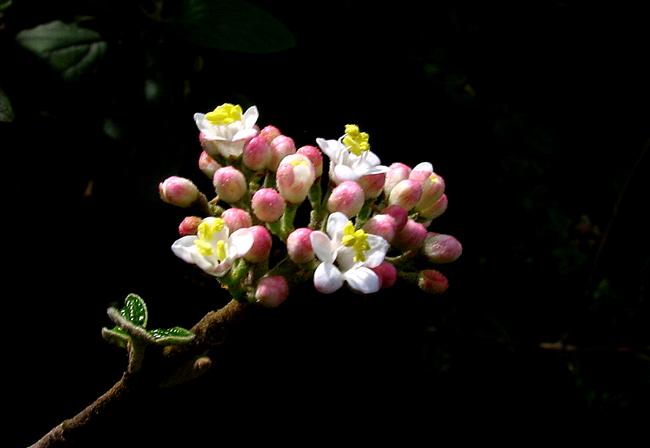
(535,113)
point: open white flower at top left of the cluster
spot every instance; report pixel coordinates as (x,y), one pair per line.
(225,130)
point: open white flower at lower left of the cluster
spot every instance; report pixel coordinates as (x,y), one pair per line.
(213,249)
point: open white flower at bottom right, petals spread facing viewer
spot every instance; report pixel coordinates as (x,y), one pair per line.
(347,256)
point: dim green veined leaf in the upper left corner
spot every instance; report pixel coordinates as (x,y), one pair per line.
(69,49)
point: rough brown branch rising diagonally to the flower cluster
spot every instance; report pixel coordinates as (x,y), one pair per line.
(172,365)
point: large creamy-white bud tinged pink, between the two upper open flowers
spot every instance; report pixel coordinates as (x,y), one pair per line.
(294,177)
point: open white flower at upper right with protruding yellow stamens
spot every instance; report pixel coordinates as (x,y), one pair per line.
(350,156)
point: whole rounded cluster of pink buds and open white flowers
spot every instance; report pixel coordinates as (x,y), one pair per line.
(367,225)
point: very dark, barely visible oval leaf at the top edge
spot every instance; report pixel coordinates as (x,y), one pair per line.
(232,25)
